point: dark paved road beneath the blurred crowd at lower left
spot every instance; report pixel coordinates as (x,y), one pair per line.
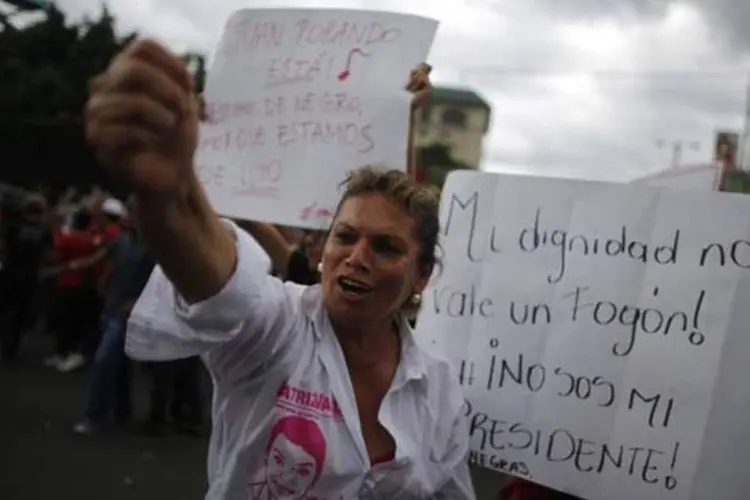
(41,459)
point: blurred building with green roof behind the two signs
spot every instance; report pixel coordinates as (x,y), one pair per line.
(449,133)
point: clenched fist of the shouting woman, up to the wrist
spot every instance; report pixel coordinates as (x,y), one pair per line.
(142,119)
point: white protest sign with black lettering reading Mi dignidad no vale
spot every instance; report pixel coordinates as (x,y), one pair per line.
(601,333)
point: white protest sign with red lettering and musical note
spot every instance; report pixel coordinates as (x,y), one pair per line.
(296,98)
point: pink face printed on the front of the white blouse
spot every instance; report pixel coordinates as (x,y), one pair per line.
(290,472)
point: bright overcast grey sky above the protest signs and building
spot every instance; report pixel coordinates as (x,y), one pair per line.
(579,88)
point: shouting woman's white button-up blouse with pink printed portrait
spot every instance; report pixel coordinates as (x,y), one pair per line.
(285,422)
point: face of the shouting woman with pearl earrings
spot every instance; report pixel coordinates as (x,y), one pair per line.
(370,261)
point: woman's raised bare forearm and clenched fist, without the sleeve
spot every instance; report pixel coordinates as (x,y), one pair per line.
(142,119)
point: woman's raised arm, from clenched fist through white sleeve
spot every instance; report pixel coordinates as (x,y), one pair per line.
(142,120)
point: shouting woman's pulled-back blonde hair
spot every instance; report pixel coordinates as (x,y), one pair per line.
(419,201)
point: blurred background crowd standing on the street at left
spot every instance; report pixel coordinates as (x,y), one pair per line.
(72,268)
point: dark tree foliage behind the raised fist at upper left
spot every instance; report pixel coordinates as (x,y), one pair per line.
(46,68)
